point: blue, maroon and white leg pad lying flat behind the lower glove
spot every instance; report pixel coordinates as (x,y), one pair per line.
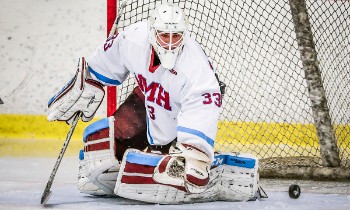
(233,177)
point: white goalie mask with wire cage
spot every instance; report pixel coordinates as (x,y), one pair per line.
(167,30)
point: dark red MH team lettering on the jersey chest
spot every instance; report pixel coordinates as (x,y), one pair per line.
(154,92)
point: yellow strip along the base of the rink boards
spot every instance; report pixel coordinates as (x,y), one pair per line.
(33,135)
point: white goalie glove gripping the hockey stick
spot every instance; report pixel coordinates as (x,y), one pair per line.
(81,94)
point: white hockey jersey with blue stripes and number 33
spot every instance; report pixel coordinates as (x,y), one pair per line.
(182,103)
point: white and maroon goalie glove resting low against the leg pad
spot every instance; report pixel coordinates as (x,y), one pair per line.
(185,166)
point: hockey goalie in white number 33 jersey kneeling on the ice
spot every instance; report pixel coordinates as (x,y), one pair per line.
(158,146)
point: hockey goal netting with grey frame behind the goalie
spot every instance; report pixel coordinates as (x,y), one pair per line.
(271,108)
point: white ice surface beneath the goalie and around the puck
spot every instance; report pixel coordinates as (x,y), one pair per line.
(22,181)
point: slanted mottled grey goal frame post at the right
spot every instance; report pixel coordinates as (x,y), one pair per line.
(308,55)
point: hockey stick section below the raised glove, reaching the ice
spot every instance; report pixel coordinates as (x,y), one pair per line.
(47,192)
